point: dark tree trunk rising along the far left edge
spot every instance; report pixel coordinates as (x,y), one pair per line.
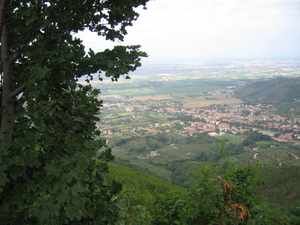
(7,101)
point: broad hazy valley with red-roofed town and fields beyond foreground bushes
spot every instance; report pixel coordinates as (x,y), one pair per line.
(169,127)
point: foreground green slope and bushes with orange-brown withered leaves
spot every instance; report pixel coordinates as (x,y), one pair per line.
(220,194)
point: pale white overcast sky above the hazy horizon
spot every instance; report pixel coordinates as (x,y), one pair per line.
(191,30)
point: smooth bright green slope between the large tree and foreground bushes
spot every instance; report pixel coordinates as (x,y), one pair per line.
(139,194)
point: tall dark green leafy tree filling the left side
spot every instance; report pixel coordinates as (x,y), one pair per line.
(51,168)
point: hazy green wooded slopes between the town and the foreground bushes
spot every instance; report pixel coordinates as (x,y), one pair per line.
(174,164)
